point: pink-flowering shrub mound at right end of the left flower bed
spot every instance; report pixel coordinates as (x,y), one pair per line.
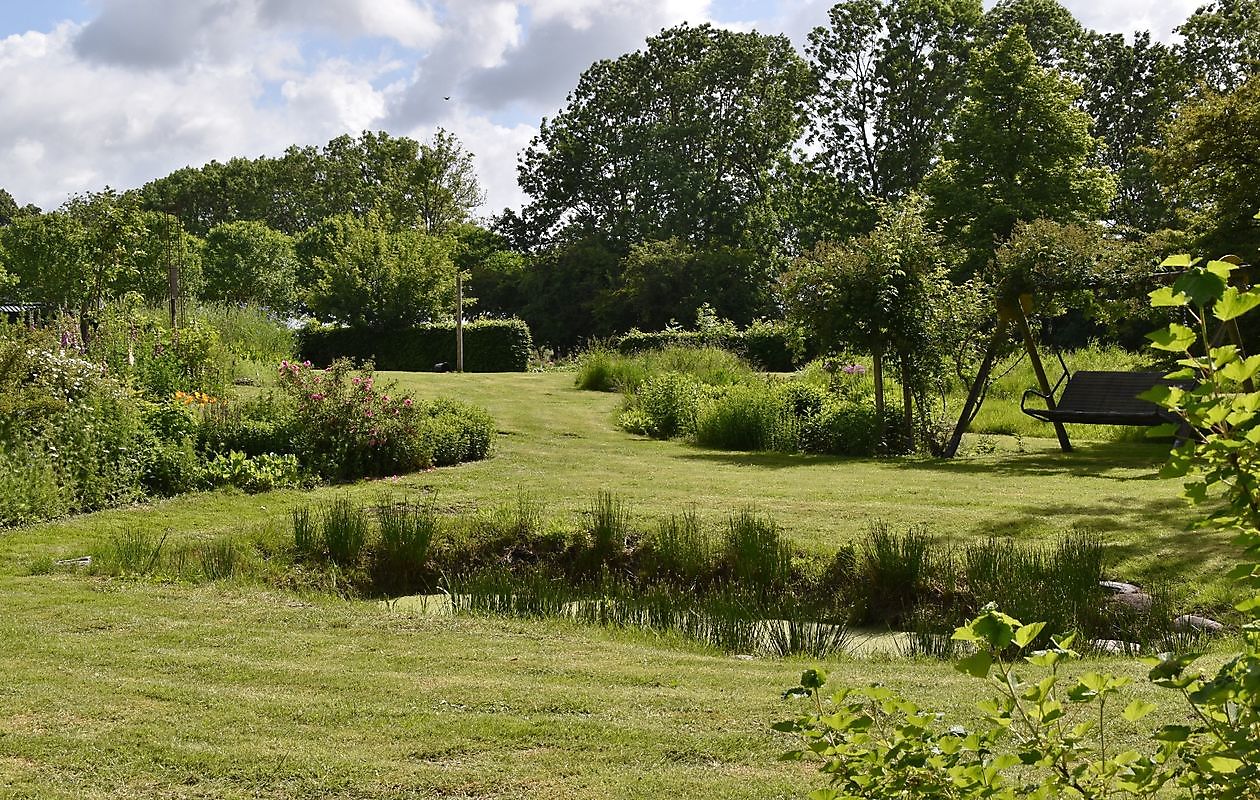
(352,425)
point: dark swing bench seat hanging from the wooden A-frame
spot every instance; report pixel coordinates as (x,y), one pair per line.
(1103,399)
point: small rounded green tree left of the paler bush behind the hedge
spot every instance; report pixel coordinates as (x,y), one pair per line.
(248,263)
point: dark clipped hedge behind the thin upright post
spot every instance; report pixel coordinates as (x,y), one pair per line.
(490,346)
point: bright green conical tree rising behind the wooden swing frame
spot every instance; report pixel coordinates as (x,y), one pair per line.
(1020,152)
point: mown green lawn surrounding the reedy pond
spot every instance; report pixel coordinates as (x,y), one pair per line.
(142,690)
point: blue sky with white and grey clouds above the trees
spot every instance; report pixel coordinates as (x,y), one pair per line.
(119,93)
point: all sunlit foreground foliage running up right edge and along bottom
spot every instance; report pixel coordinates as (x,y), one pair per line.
(875,744)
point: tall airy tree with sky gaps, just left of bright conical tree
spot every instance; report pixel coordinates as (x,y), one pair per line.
(891,76)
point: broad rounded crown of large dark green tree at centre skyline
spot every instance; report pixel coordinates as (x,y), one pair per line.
(679,139)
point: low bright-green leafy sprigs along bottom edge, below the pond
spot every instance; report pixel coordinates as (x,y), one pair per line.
(875,744)
